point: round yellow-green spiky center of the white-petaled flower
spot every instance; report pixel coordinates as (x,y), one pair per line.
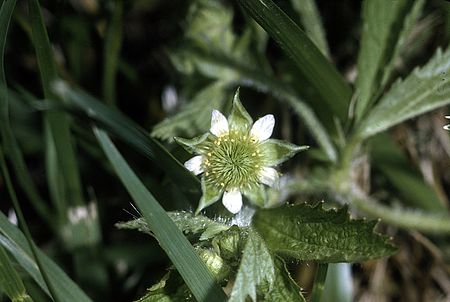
(232,161)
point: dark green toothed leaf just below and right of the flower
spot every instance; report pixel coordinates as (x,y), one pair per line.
(310,233)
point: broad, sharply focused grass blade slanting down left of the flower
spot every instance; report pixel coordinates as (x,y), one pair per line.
(173,242)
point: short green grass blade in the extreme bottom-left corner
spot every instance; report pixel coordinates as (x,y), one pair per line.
(10,281)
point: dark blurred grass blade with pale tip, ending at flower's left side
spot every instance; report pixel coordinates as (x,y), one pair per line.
(130,133)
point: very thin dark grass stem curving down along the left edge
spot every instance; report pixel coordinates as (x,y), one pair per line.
(24,226)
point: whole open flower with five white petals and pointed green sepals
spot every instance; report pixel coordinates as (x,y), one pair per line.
(237,157)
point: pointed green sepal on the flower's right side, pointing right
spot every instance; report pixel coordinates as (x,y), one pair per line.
(276,151)
